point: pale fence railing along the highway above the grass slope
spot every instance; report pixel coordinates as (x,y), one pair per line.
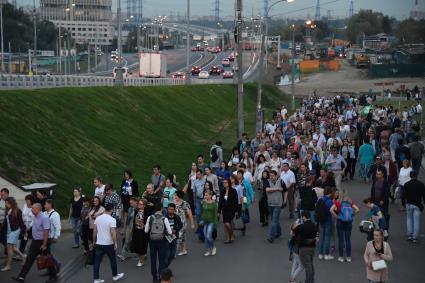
(44,81)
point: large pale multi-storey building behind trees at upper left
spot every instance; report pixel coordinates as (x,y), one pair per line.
(89,21)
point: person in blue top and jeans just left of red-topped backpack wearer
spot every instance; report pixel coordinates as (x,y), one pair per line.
(324,218)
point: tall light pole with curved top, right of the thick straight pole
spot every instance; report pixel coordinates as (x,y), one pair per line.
(259,114)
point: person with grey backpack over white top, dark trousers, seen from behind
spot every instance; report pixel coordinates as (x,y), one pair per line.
(158,226)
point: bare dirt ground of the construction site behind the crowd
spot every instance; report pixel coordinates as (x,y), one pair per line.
(347,79)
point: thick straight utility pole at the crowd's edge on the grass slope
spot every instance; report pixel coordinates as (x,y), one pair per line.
(241,125)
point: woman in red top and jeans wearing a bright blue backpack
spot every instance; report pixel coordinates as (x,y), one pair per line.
(343,211)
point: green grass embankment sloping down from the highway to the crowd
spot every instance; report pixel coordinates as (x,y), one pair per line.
(68,136)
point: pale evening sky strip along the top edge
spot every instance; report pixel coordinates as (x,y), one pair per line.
(399,9)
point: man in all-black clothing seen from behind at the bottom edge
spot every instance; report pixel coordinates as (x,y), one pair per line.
(305,237)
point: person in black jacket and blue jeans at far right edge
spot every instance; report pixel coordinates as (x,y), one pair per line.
(414,194)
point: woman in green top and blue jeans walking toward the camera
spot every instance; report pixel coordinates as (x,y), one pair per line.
(209,218)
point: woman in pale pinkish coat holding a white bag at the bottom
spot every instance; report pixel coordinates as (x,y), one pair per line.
(377,251)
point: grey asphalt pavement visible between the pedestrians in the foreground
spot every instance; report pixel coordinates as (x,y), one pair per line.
(251,259)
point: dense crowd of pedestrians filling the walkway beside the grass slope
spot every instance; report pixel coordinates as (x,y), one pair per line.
(300,162)
